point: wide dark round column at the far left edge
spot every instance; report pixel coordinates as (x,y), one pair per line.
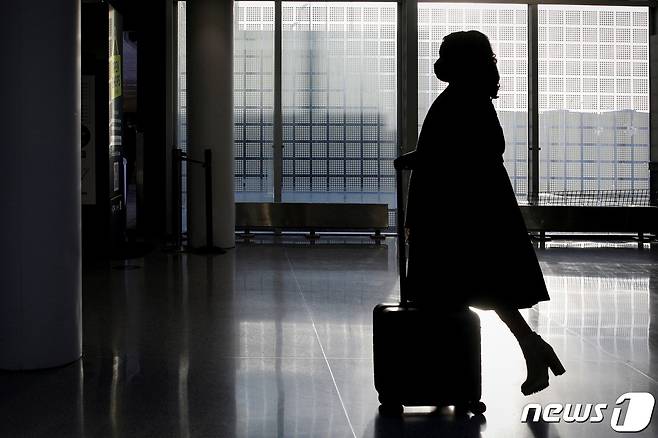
(40,264)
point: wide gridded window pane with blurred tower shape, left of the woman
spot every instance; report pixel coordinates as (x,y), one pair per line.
(339,101)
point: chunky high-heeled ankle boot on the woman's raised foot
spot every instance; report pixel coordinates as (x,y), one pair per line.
(539,358)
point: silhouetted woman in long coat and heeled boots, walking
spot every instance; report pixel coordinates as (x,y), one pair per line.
(468,244)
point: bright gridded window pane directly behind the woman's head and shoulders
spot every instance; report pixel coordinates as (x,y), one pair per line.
(507,29)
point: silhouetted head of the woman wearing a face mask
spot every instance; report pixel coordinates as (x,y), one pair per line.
(466,58)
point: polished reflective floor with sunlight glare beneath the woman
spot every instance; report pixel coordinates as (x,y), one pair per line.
(274,339)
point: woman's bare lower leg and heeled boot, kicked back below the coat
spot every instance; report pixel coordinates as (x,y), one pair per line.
(539,355)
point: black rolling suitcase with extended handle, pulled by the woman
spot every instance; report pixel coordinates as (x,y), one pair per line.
(423,357)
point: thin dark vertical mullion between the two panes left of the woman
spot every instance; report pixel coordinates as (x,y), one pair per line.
(277,117)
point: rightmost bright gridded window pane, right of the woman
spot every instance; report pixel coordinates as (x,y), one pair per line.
(593,98)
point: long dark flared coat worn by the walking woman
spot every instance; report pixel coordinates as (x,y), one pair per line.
(468,242)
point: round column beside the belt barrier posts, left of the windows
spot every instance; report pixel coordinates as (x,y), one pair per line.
(210,117)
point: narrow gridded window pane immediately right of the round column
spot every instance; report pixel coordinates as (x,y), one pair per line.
(253,94)
